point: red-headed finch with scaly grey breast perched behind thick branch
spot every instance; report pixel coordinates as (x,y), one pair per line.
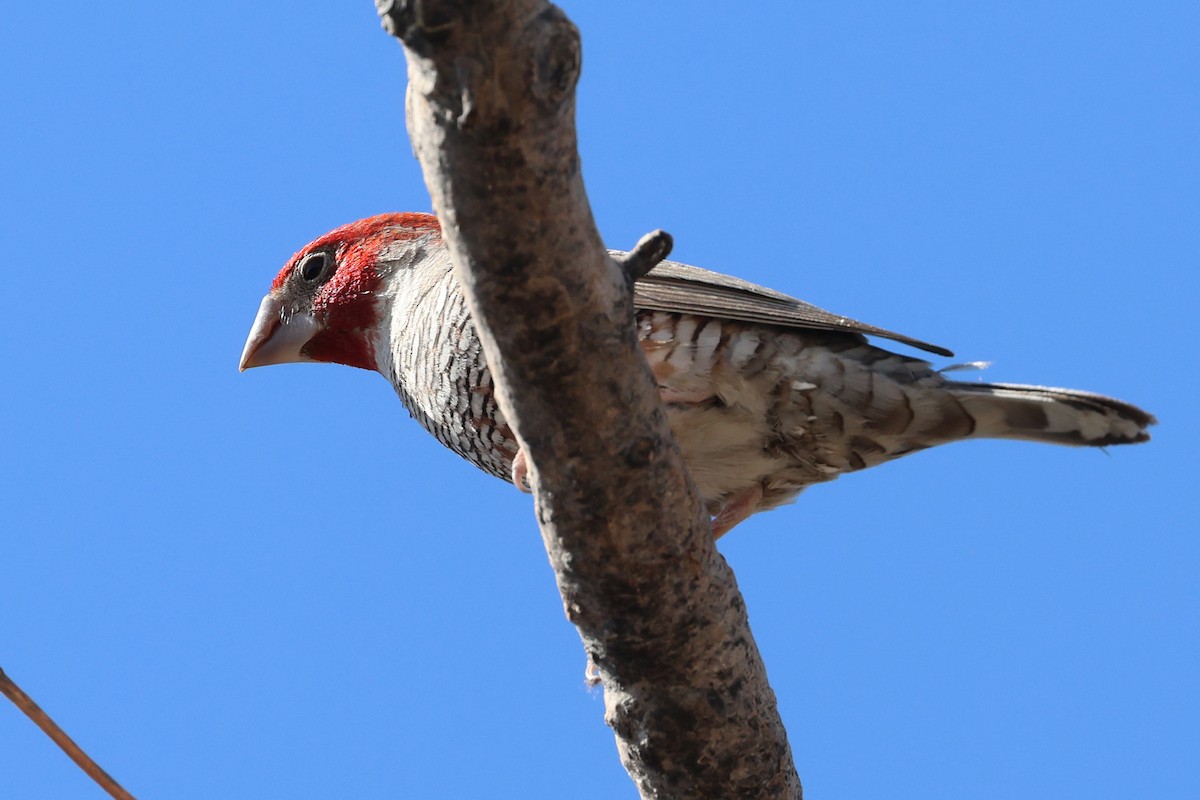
(766,395)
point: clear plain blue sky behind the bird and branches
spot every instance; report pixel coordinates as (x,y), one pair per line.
(274,585)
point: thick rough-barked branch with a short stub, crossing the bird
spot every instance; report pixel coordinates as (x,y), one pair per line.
(491,115)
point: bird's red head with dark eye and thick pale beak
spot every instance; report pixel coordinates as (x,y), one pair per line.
(323,305)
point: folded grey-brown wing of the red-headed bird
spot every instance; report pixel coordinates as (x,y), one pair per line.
(680,288)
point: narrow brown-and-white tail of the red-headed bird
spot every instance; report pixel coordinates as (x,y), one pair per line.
(1055,416)
